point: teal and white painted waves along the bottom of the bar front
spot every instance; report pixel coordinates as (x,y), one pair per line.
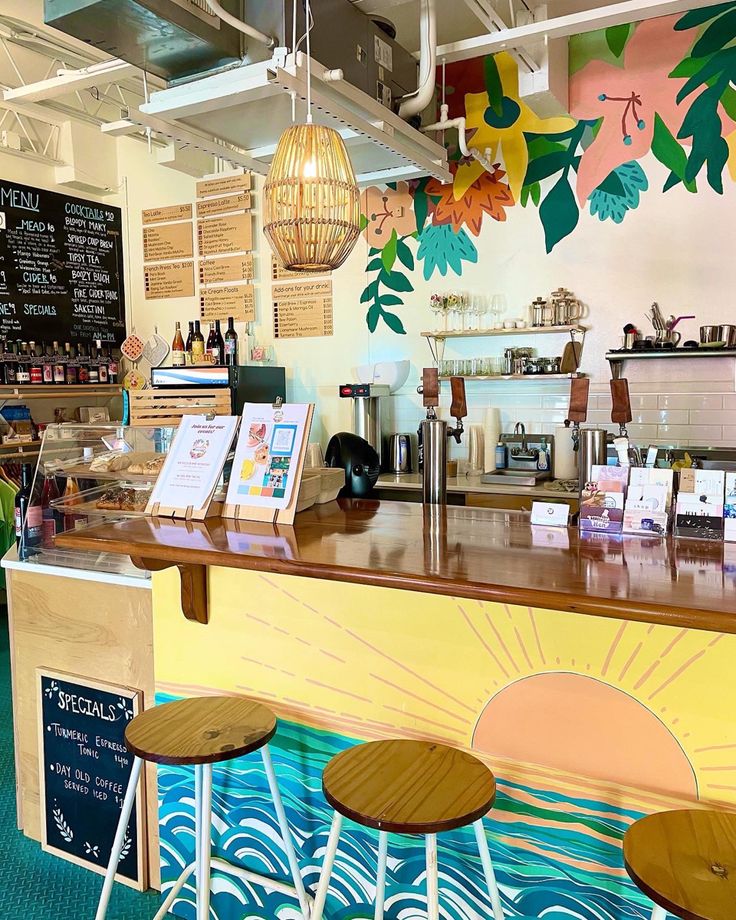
(542,870)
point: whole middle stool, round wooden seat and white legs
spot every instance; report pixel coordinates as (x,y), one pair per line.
(408,787)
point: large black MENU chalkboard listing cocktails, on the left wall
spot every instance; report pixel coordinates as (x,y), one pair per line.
(61,267)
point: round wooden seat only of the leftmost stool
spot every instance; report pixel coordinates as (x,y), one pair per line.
(203,730)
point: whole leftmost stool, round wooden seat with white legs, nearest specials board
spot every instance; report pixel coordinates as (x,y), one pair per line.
(200,732)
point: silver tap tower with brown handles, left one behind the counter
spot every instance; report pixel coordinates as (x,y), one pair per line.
(435,432)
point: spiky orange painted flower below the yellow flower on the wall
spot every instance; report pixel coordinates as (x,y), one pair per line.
(487,195)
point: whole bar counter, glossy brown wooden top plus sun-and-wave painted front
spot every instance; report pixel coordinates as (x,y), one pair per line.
(594,675)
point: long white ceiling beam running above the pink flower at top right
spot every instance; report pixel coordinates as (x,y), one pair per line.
(562,26)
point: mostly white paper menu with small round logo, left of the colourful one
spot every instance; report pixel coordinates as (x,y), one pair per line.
(194,463)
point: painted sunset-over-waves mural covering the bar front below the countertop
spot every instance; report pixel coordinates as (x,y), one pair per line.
(587,722)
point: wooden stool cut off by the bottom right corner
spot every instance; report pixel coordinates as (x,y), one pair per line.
(685,861)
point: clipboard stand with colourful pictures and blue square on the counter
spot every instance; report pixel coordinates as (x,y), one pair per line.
(269,461)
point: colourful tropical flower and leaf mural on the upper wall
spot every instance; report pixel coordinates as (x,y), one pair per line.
(663,88)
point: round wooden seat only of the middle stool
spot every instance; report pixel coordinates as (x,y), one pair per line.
(409,787)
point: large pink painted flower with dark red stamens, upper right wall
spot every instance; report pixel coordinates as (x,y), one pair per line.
(628,97)
